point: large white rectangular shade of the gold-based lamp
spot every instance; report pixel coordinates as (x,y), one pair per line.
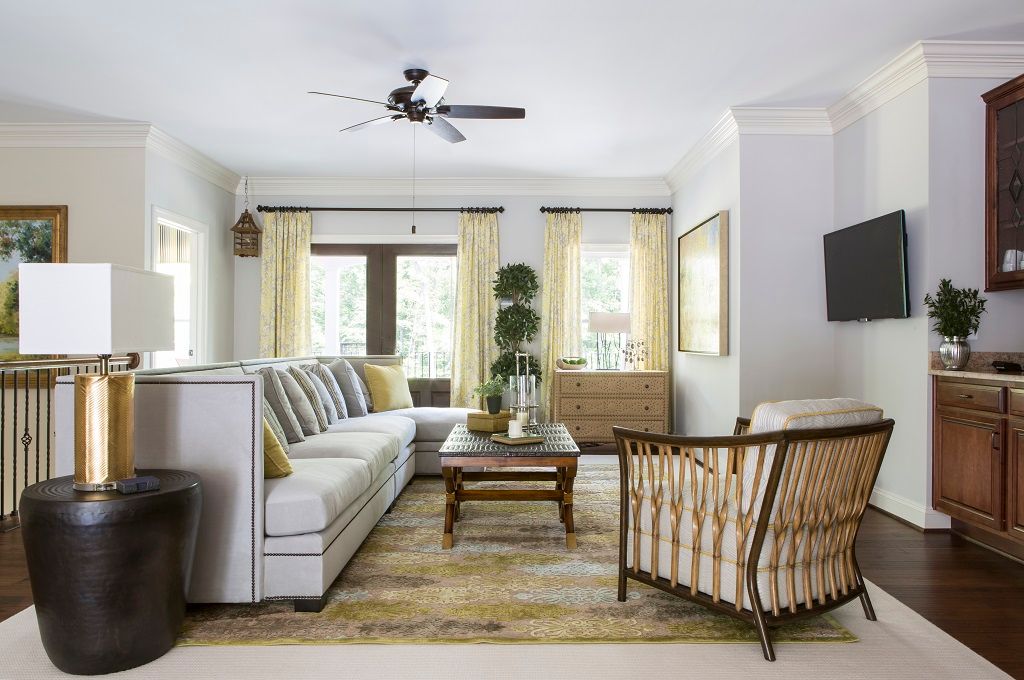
(94,310)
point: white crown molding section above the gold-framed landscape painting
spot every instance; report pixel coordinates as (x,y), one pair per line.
(73,136)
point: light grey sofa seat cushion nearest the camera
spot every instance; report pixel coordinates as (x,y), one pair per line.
(314,496)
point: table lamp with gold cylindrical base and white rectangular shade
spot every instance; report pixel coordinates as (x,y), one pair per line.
(102,310)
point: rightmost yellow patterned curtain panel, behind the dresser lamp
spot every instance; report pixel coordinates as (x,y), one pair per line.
(650,287)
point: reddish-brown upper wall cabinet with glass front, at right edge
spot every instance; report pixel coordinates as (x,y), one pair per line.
(1005,187)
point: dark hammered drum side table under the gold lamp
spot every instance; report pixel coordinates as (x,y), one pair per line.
(110,573)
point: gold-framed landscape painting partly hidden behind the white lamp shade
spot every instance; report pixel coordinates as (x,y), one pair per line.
(28,234)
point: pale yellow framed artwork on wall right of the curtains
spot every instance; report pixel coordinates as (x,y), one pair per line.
(704,287)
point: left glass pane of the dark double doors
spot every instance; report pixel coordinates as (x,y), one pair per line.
(338,300)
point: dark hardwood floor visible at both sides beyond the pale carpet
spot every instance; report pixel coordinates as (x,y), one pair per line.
(972,593)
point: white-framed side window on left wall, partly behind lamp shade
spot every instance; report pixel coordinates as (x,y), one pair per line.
(178,252)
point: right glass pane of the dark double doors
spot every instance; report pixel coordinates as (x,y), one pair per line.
(425,315)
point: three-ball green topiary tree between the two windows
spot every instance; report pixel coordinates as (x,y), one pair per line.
(517,322)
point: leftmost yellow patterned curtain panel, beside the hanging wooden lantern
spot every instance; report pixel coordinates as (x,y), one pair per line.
(284,311)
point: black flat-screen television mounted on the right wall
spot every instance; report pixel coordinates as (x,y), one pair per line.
(866,271)
